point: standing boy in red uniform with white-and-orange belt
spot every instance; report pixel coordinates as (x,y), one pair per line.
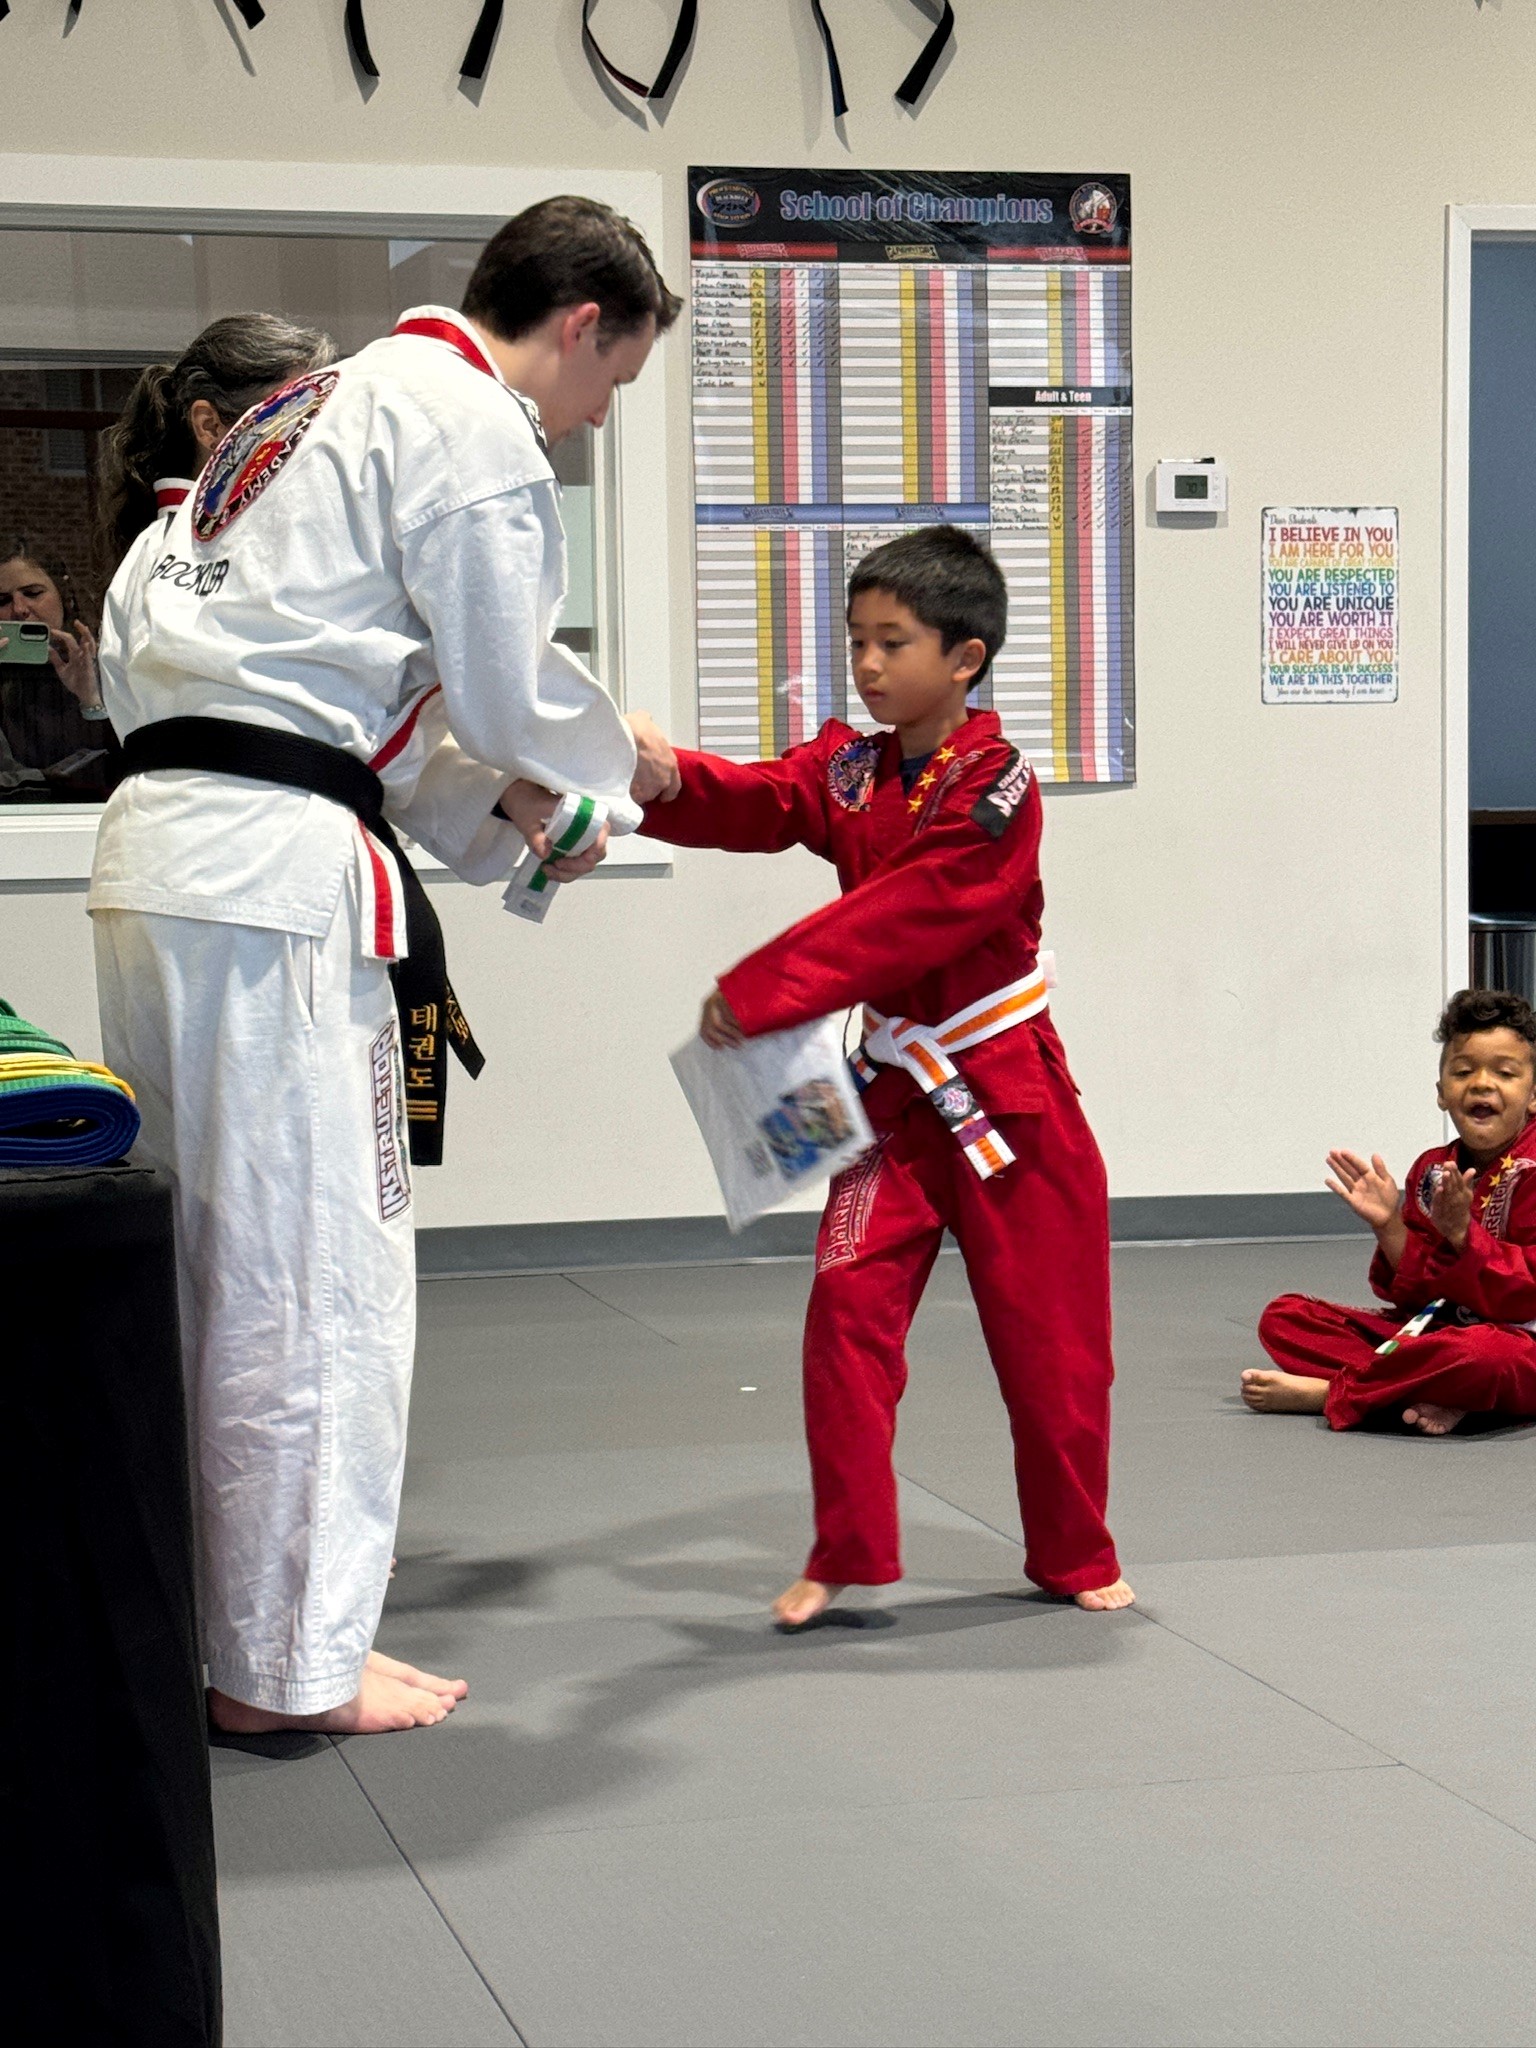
(935,830)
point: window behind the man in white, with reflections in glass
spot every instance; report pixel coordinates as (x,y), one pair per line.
(83,314)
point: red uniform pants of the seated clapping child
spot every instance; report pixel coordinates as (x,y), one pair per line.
(1480,1367)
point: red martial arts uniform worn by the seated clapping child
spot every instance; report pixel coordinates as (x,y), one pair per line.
(1486,1363)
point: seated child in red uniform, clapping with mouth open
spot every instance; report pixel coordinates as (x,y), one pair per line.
(1461,1242)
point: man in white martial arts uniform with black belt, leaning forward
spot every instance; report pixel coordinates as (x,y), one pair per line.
(345,630)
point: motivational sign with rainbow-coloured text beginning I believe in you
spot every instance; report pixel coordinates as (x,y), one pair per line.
(1330,605)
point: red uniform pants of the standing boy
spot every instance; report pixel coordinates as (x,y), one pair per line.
(1037,1250)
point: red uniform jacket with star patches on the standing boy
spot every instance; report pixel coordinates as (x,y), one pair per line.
(941,890)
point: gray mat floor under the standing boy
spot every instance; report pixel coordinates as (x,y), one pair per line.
(1289,1799)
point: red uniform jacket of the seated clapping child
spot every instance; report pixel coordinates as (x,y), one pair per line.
(1494,1277)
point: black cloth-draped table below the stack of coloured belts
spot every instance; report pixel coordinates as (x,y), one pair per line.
(108,1773)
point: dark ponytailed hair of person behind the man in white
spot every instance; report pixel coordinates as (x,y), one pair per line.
(232,364)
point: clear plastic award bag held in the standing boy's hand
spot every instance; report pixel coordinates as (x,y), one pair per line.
(779,1113)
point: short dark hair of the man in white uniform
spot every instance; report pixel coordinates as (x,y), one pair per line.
(568,253)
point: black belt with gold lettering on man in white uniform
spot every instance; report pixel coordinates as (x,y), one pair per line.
(431,1019)
